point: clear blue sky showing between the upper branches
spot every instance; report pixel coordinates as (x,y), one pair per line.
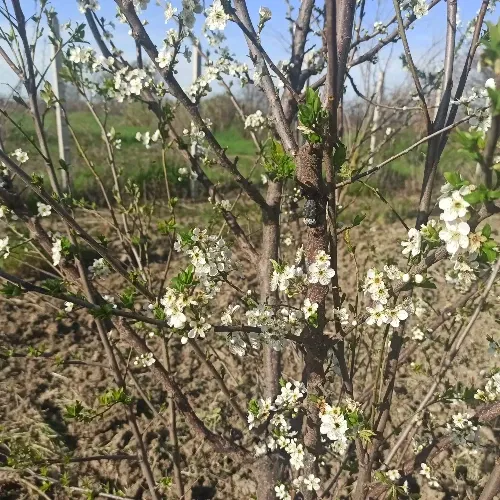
(426,39)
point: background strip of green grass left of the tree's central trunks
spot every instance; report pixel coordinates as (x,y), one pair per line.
(136,163)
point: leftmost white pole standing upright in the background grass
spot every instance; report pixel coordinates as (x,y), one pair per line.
(59,91)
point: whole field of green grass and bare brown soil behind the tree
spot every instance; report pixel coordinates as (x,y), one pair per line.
(54,363)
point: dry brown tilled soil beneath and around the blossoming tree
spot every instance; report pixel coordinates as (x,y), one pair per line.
(34,389)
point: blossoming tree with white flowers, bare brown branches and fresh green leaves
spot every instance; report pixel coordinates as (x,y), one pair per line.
(321,427)
